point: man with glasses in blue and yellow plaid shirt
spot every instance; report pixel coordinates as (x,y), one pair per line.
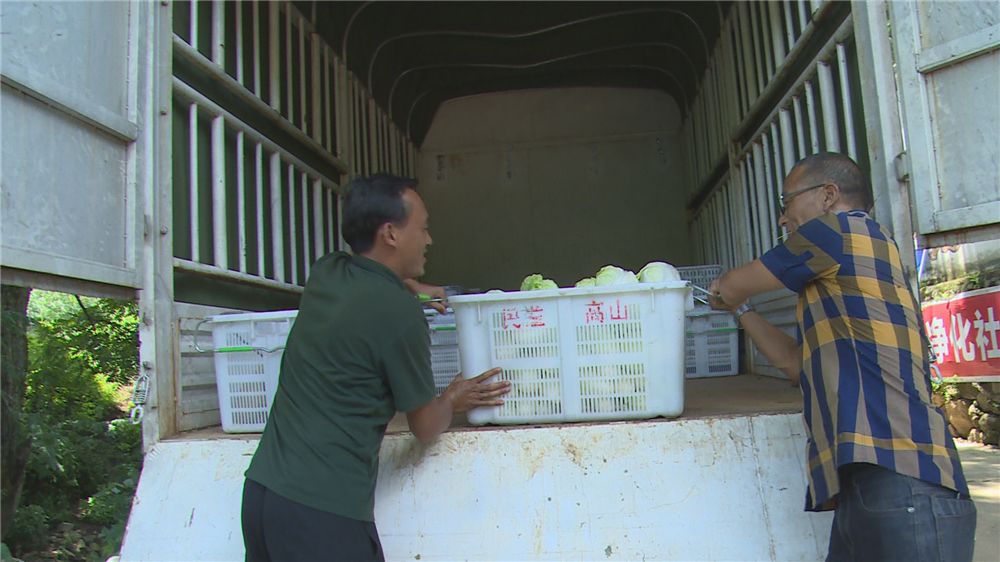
(879,451)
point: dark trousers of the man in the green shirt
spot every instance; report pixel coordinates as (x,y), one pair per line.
(279,529)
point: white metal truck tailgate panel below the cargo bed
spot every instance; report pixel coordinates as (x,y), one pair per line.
(700,489)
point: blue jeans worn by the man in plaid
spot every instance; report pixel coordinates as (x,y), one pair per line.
(883,515)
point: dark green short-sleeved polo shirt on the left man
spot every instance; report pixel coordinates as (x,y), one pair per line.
(359,351)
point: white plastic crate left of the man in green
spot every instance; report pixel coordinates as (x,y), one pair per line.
(248,350)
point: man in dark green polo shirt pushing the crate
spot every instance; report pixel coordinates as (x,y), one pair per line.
(358,353)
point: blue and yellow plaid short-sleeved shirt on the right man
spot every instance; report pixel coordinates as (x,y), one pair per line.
(865,383)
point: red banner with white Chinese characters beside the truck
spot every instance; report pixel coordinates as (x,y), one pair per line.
(965,335)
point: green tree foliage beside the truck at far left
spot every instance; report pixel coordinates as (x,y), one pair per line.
(85,457)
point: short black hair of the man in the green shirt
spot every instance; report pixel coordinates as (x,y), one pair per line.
(371,202)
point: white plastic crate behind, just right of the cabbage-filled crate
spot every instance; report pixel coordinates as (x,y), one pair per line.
(711,347)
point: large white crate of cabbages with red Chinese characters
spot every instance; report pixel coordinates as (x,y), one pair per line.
(578,354)
